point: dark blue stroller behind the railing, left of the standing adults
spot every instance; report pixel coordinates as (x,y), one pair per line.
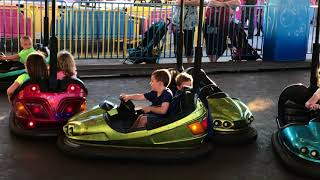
(149,49)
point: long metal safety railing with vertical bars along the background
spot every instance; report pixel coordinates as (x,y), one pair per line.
(119,30)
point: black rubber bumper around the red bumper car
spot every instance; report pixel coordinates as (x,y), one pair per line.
(32,133)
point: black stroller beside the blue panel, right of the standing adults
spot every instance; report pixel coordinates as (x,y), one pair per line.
(240,47)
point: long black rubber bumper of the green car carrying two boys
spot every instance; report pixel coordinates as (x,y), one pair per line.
(95,150)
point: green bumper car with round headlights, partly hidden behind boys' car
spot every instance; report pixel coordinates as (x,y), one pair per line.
(231,118)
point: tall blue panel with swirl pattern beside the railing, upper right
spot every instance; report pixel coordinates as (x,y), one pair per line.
(287,30)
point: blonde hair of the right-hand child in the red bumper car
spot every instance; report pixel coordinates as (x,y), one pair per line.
(65,63)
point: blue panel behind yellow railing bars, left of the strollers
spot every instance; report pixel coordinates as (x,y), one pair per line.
(90,24)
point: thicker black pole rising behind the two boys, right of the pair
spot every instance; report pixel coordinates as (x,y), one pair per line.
(198,55)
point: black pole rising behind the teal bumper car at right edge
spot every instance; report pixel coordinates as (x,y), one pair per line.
(315,56)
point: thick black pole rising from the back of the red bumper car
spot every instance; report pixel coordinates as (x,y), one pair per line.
(53,50)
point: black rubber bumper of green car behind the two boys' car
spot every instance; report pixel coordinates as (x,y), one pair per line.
(244,136)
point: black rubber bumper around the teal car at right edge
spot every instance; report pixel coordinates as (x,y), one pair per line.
(293,162)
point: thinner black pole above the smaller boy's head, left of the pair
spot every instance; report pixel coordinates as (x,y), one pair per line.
(180,40)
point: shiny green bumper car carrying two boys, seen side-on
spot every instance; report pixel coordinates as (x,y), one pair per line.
(104,131)
